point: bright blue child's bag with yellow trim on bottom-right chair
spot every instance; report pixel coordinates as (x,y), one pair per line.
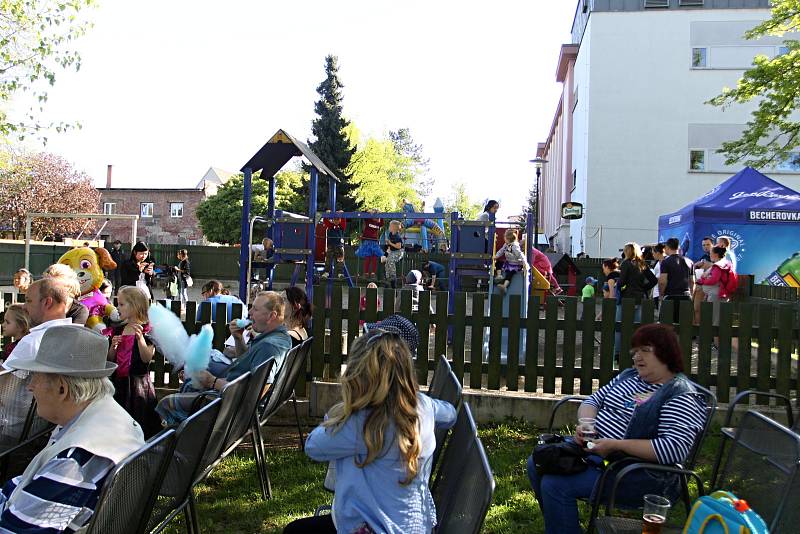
(721,512)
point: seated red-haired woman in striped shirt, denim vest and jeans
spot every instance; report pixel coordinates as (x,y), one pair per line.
(649,411)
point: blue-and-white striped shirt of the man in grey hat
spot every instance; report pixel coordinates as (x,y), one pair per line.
(60,498)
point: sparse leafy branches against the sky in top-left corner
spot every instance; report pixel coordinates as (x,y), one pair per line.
(35,40)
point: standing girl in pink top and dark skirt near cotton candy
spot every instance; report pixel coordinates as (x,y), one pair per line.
(132,349)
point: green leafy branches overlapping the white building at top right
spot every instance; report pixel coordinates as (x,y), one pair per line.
(773,130)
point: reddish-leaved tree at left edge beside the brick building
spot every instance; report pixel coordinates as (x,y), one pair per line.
(44,183)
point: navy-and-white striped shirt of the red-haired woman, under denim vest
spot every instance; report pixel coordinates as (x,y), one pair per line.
(682,417)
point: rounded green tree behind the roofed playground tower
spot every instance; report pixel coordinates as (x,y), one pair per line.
(220,215)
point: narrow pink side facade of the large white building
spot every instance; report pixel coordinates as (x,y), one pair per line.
(558,181)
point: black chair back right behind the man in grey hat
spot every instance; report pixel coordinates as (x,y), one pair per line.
(129,491)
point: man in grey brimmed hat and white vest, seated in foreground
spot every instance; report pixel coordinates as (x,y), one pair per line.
(69,380)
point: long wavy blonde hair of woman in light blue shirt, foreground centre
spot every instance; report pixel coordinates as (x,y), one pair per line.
(380,378)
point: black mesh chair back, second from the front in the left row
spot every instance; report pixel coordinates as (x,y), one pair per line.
(191,438)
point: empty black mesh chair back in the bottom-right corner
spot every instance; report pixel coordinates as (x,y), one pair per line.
(762,468)
